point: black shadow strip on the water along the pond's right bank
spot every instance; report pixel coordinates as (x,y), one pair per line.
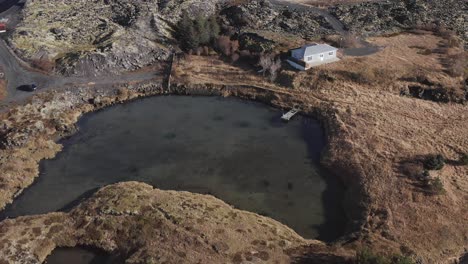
(332,197)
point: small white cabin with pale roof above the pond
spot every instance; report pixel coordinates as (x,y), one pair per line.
(312,55)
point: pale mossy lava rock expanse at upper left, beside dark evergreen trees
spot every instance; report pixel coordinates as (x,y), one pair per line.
(100,37)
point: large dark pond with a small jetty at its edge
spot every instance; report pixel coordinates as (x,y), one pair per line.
(237,151)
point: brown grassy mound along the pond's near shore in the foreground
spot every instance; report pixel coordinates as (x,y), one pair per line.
(147,225)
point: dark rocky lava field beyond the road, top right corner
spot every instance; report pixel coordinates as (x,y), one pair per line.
(374,18)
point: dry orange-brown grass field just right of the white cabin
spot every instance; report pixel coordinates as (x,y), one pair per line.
(403,56)
